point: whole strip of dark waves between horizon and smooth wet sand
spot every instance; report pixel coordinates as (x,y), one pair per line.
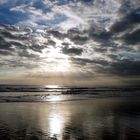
(16,93)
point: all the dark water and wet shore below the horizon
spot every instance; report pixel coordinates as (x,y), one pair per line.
(69,113)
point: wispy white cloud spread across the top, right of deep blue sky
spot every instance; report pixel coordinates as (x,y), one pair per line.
(78,14)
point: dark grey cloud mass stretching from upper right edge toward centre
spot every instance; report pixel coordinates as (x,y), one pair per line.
(125,25)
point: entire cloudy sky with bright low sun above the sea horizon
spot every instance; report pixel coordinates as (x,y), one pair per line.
(70,42)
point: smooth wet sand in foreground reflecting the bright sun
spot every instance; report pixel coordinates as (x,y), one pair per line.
(110,118)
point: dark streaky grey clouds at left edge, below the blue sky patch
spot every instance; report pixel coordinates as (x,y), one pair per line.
(19,39)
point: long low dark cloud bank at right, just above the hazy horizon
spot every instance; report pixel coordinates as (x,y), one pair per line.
(125,67)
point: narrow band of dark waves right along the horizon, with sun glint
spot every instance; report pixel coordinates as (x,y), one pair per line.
(63,89)
